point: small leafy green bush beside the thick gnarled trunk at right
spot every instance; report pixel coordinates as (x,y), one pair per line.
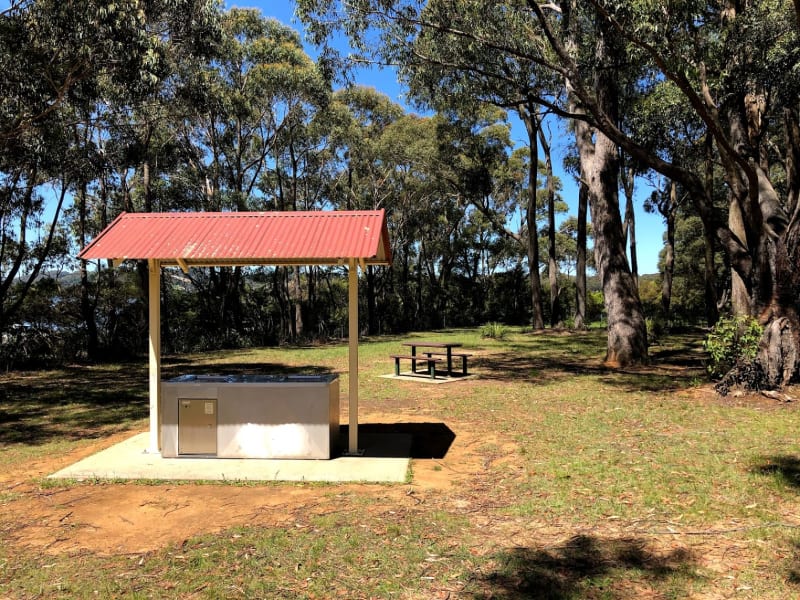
(732,341)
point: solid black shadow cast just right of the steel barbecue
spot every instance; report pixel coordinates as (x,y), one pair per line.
(428,440)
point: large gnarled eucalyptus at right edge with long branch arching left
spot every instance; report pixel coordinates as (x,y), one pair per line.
(735,64)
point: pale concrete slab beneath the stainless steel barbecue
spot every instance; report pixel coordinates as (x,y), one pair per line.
(386,459)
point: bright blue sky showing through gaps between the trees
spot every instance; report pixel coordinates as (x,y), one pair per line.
(649,227)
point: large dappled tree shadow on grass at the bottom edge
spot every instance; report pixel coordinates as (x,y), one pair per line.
(587,566)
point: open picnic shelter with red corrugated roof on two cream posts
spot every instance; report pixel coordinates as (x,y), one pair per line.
(187,240)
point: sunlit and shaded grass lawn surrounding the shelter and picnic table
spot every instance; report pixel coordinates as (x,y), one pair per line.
(580,482)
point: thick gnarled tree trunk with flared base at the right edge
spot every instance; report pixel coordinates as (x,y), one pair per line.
(768,271)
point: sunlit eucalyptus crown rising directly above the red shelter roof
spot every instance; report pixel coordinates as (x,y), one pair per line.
(233,109)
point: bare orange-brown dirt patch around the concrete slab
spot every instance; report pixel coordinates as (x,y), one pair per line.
(121,518)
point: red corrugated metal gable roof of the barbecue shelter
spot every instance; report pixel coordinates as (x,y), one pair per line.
(245,238)
